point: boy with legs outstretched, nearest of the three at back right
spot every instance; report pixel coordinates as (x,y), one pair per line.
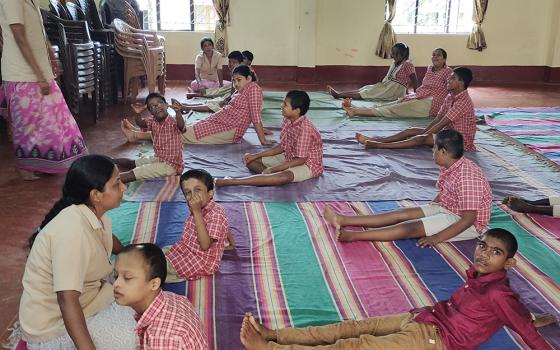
(456,113)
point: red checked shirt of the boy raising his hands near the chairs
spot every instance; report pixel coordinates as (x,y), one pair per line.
(166,137)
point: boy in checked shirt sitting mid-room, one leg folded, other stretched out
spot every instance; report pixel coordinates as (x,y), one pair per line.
(298,157)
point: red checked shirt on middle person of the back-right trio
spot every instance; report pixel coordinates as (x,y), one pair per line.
(434,84)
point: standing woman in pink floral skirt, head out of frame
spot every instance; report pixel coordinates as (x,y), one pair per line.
(45,135)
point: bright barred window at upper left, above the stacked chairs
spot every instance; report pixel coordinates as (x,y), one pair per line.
(192,15)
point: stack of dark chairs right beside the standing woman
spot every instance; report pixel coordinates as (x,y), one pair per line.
(81,61)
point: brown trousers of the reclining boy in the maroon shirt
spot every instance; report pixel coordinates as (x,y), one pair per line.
(387,333)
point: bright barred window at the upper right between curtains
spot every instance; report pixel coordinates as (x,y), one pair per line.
(433,16)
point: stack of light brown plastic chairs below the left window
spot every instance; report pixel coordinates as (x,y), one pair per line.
(144,55)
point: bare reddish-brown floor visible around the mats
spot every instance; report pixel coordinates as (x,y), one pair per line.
(24,204)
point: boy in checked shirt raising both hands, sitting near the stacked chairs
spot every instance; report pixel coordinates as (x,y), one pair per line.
(168,148)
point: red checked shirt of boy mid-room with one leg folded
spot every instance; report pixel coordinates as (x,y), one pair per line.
(301,139)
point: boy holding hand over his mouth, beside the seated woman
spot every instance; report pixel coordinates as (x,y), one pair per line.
(201,246)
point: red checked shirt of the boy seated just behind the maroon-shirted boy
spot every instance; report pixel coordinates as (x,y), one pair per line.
(462,187)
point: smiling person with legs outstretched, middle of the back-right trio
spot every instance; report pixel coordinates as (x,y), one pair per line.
(427,100)
